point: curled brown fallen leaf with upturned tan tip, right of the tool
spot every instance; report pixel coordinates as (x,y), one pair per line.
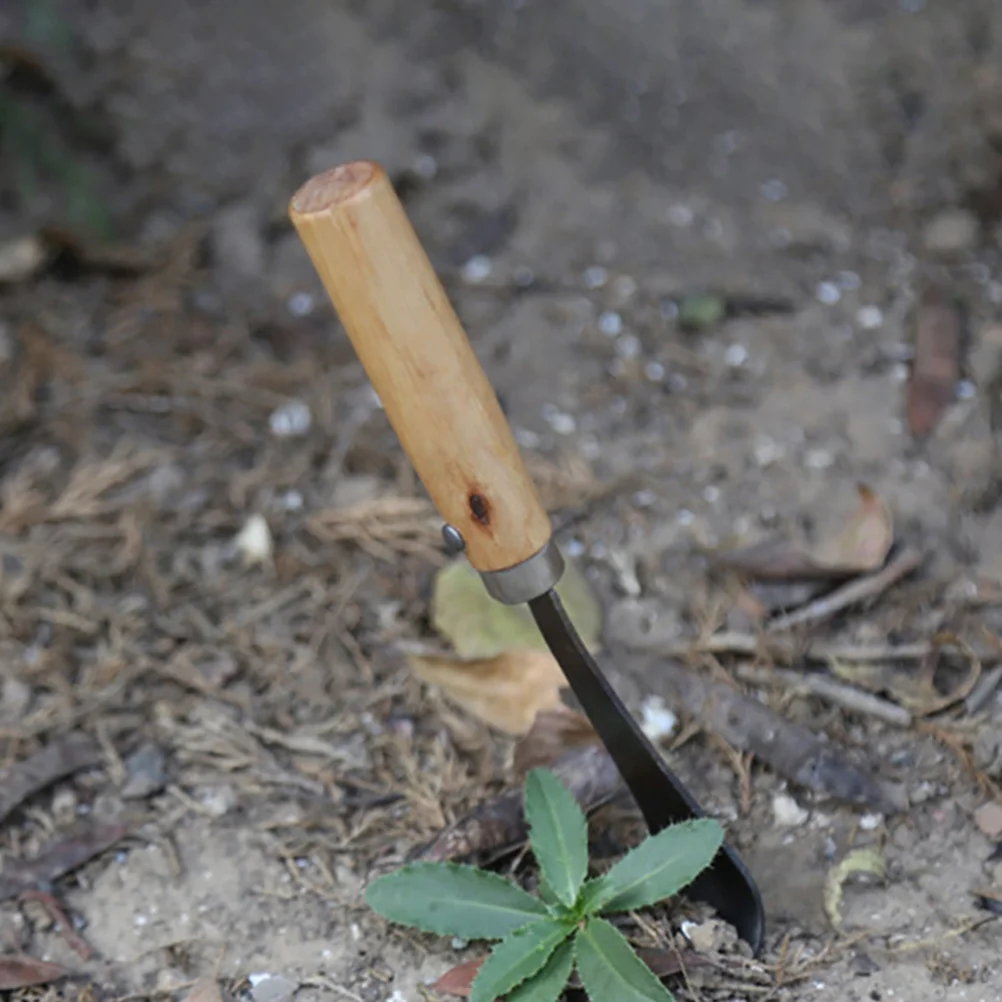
(863,546)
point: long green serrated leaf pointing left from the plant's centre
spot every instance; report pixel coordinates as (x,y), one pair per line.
(453,900)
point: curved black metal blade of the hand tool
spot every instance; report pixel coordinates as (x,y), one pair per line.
(662,797)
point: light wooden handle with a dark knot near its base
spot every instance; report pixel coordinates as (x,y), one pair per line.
(417,356)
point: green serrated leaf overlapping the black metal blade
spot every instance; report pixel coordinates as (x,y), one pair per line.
(657,869)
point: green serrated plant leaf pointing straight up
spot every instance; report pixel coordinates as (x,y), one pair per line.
(559,834)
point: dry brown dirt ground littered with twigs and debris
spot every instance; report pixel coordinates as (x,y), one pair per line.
(576,171)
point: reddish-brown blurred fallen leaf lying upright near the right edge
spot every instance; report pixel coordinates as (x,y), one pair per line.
(939,334)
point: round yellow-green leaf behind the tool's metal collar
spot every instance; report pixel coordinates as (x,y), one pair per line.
(480,627)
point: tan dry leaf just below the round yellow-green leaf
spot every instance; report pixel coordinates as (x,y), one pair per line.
(506,692)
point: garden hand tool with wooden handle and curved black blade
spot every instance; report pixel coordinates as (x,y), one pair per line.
(444,411)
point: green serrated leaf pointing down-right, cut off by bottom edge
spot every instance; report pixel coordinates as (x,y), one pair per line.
(610,969)
